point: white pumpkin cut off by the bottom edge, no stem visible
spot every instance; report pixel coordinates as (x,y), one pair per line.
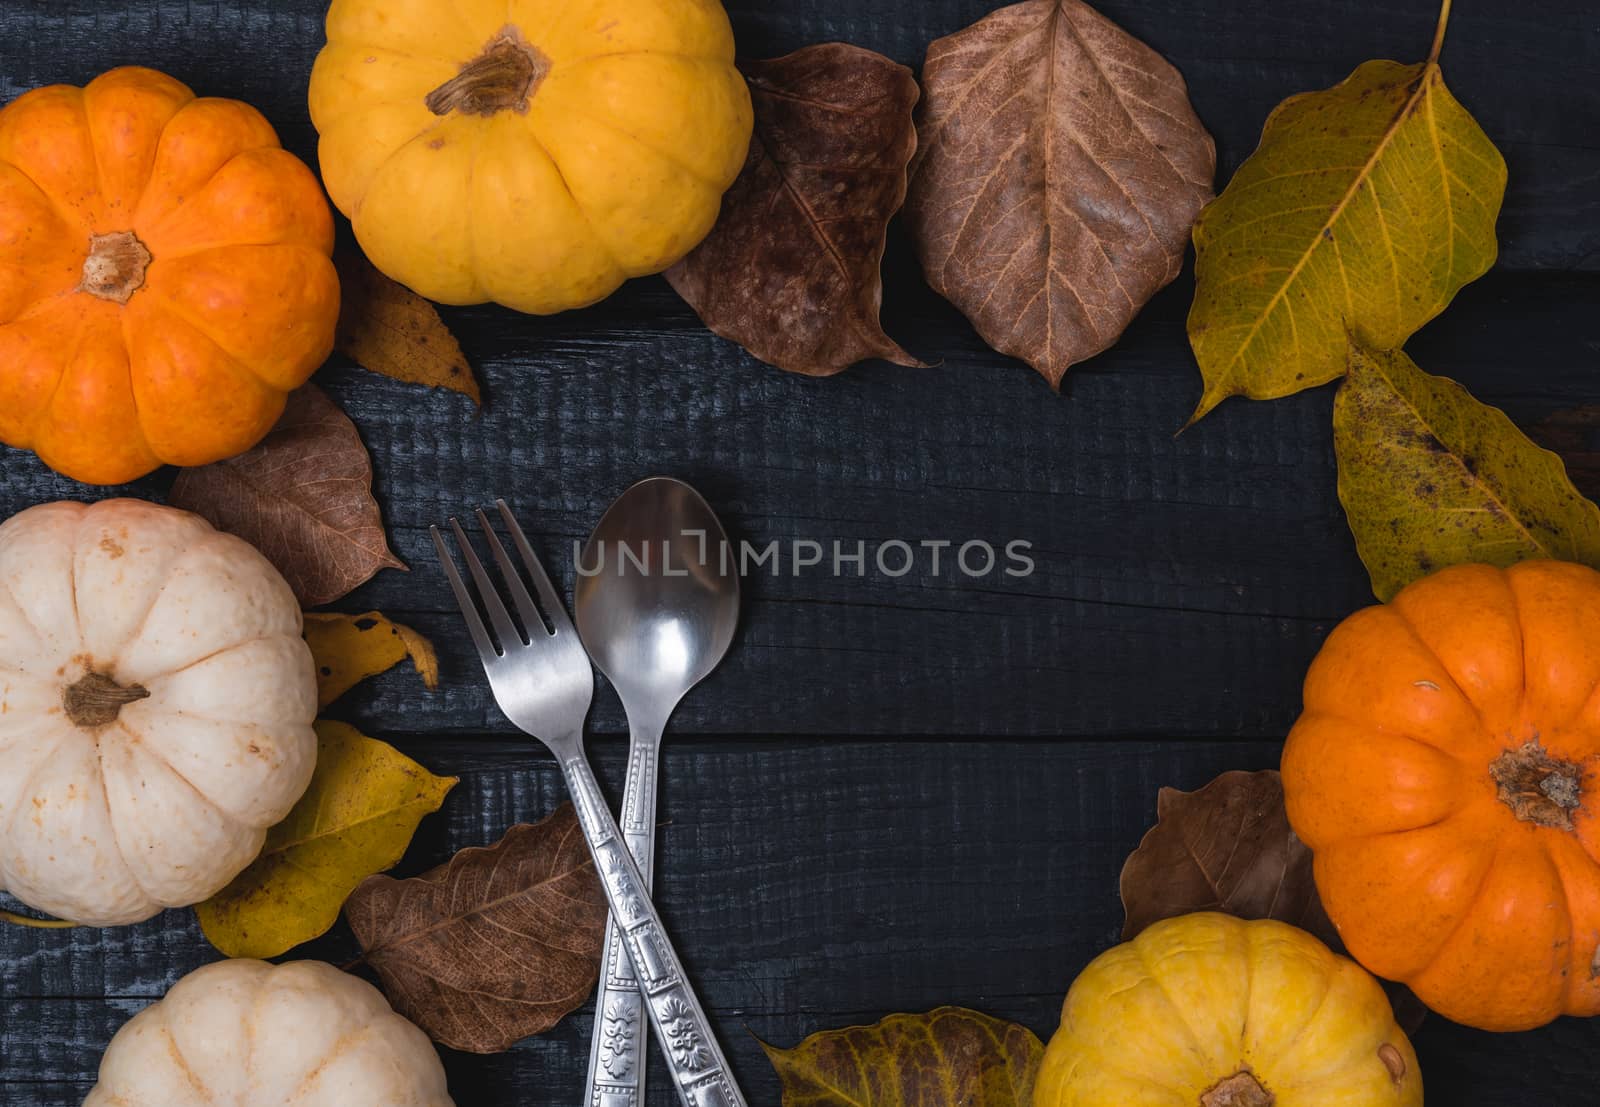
(249,1034)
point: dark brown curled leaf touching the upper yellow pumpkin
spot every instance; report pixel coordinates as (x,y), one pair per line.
(791,270)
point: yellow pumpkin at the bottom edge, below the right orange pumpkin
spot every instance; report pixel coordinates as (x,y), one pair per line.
(1215,1012)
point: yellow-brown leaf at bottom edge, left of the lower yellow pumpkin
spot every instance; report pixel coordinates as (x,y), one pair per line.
(948,1058)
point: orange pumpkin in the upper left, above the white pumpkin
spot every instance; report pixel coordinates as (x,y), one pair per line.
(166,276)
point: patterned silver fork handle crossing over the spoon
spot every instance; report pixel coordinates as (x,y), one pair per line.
(698,1066)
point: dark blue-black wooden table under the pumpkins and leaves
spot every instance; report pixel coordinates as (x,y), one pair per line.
(918,791)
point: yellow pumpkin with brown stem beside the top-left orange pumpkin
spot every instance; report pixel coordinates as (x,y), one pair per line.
(532,153)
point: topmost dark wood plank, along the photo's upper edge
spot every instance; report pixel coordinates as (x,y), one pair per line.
(1239,58)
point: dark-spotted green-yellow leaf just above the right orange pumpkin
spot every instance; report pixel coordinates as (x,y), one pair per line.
(1431,478)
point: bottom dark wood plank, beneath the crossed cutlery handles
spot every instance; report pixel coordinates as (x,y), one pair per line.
(806,893)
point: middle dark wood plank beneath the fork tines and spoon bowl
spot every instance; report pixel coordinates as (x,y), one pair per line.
(1183,583)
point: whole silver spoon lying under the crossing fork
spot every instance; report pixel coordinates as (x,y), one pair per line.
(657,604)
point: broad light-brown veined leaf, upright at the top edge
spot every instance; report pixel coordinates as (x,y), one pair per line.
(1062,169)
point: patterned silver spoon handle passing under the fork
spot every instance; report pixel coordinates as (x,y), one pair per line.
(617,1052)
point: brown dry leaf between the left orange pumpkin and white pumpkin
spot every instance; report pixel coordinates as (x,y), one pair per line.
(303,497)
